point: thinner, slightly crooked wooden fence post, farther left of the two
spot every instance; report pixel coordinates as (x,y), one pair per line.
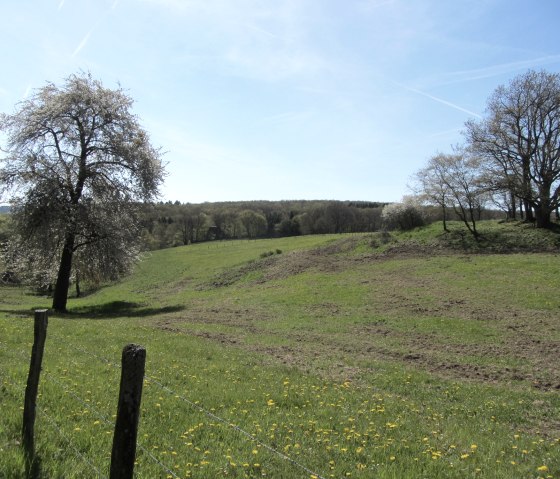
(30,402)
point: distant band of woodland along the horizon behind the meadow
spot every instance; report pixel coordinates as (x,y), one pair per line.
(175,224)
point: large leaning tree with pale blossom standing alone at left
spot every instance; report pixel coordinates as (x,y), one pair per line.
(77,163)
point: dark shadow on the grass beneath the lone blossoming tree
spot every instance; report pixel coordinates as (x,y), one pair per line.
(111,310)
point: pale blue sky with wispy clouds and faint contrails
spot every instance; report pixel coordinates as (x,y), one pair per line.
(286,99)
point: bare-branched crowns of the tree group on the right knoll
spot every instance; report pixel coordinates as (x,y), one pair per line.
(511,156)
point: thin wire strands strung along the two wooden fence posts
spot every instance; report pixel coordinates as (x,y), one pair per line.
(195,405)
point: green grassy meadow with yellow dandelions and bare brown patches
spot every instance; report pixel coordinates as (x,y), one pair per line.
(417,356)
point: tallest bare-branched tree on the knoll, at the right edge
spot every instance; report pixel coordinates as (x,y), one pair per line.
(520,140)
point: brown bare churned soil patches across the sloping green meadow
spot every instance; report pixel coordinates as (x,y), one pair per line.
(521,352)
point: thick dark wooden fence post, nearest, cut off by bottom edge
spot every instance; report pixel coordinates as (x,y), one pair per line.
(128,411)
